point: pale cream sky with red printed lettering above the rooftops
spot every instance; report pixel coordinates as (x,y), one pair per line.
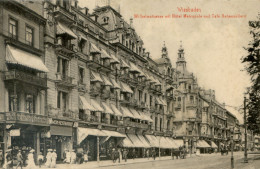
(213,46)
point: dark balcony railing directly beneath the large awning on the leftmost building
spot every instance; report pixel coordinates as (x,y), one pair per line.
(26,78)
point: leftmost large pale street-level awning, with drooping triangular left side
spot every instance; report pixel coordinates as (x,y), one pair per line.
(84,132)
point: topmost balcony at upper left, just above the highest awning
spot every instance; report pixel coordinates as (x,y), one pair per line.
(63,14)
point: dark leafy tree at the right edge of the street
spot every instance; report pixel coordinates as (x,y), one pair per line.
(252,66)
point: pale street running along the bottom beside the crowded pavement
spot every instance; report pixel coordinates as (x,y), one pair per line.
(207,161)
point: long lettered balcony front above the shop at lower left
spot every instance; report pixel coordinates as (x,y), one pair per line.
(25,118)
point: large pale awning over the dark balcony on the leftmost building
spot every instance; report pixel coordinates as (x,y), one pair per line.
(20,57)
